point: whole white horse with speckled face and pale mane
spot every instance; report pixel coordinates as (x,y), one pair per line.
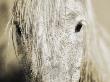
(57,41)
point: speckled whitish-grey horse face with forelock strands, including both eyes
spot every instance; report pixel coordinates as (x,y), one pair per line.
(50,37)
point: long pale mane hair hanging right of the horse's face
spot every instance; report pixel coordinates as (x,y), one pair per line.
(97,48)
